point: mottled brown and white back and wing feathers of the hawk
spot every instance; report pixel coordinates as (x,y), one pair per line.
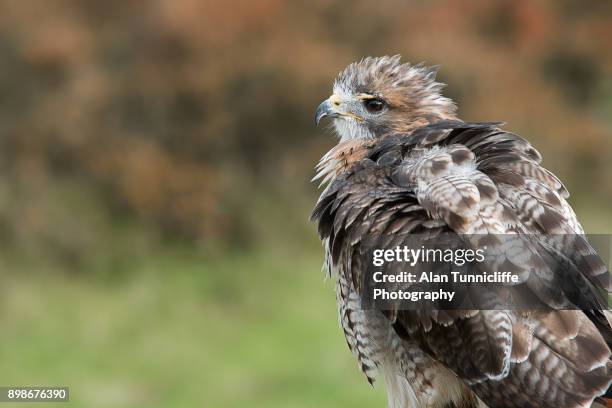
(471,178)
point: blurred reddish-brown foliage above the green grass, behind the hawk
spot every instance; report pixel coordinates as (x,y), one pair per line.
(180,113)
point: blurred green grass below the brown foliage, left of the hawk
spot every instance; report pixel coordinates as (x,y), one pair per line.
(181,330)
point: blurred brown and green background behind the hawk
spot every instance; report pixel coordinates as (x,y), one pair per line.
(155,159)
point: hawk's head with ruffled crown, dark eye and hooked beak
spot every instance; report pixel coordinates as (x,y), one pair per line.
(378,96)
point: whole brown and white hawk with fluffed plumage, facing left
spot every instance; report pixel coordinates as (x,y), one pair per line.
(406,164)
